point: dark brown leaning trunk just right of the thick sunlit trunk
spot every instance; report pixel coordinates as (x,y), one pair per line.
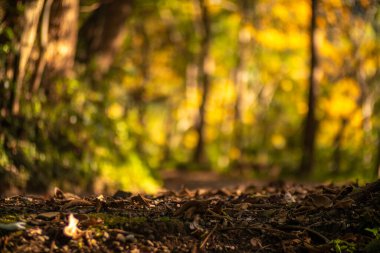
(103,34)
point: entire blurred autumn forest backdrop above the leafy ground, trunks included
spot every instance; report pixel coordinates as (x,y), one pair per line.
(103,95)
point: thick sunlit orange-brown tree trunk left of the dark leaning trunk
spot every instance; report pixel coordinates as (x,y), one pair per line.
(58,38)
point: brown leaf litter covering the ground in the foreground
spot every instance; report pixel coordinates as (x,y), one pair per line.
(277,217)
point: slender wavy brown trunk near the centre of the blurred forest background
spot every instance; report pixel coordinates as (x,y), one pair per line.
(204,79)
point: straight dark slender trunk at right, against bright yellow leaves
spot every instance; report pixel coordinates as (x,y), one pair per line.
(308,145)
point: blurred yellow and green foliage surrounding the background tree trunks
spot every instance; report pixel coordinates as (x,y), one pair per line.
(120,130)
